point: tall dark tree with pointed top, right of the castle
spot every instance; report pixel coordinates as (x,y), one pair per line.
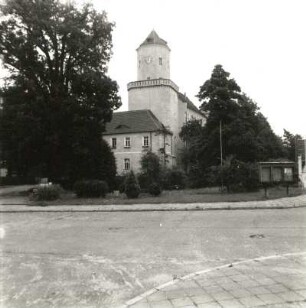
(246,134)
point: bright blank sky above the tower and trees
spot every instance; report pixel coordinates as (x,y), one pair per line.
(261,43)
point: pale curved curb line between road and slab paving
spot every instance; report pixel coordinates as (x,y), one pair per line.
(198,273)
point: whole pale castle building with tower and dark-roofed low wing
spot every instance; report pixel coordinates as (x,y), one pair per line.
(157,111)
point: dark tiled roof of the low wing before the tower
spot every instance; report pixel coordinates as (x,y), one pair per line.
(135,121)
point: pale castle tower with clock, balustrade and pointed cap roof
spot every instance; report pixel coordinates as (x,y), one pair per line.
(153,89)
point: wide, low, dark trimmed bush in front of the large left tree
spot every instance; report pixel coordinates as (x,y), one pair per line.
(91,189)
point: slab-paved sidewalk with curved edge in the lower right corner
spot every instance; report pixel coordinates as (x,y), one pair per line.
(275,281)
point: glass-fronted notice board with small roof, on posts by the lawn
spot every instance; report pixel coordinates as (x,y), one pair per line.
(273,172)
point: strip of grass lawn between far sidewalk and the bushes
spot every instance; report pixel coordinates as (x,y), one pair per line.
(181,196)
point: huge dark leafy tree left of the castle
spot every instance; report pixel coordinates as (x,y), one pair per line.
(60,96)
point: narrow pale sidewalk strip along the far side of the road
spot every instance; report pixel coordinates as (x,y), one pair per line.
(21,204)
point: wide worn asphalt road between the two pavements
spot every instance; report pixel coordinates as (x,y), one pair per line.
(104,259)
